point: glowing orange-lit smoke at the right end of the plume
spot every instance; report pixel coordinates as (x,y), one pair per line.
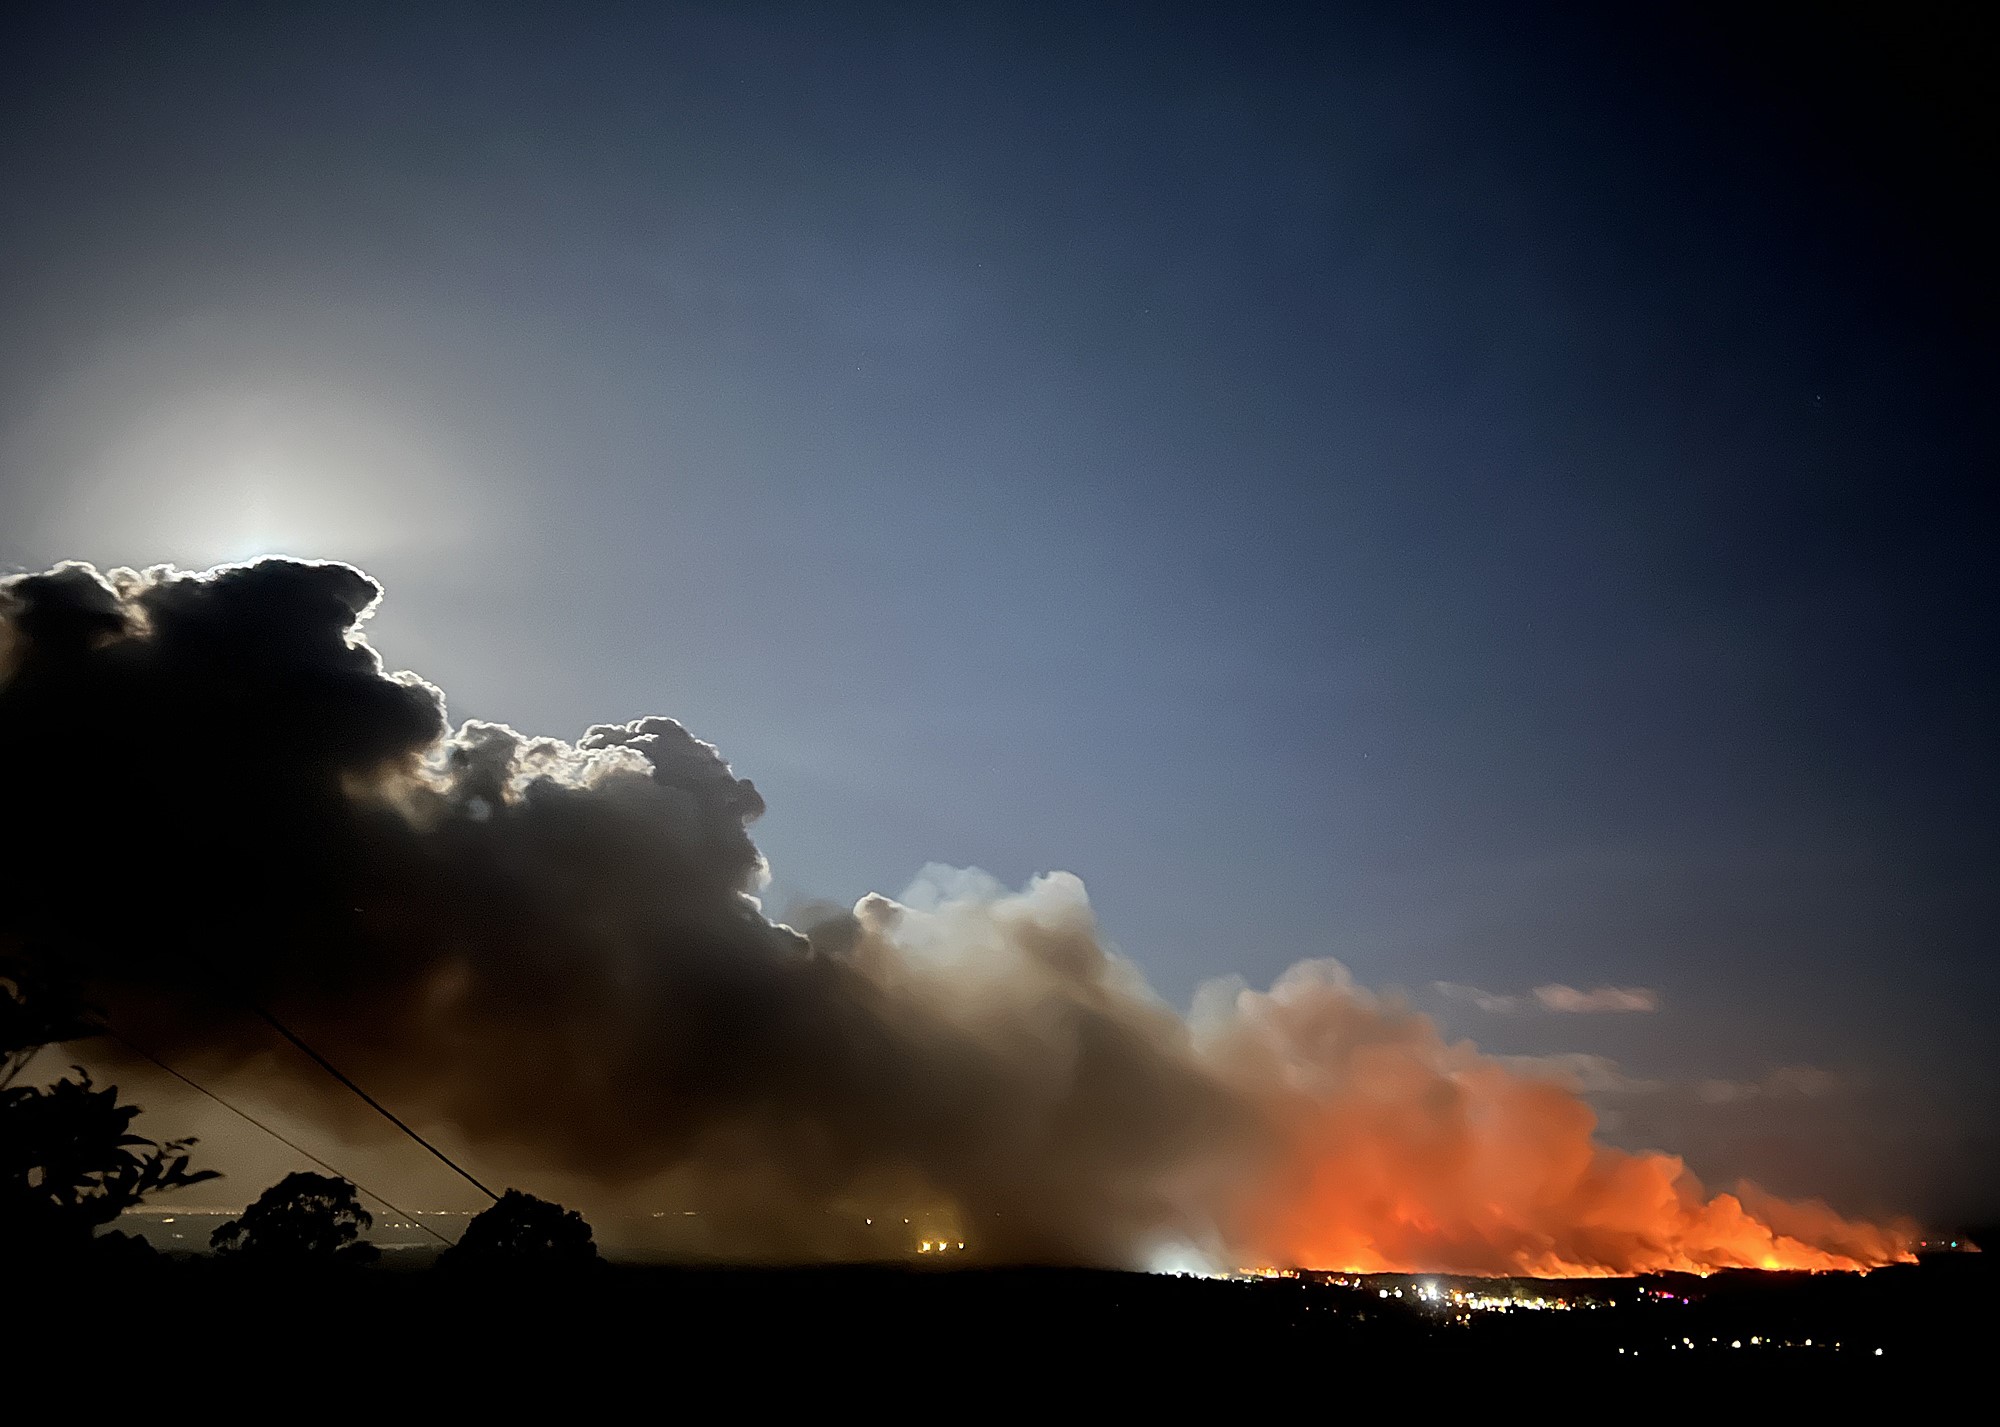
(1401,1152)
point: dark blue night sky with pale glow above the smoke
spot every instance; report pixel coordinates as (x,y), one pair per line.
(1499,501)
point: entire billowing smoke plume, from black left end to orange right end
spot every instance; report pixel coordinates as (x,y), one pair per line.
(221,800)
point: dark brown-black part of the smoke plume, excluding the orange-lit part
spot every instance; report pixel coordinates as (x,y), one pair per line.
(221,800)
